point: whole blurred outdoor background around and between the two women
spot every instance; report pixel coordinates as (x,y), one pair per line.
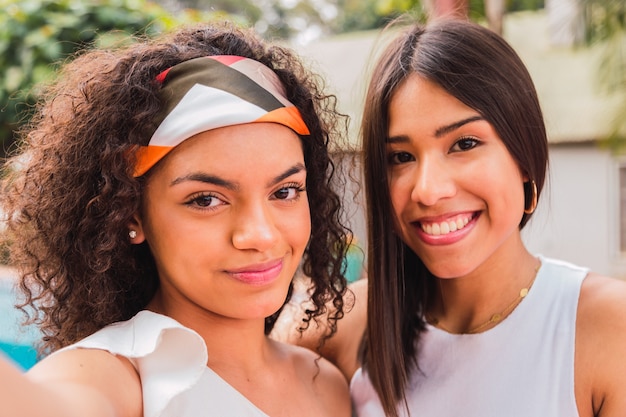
(575,51)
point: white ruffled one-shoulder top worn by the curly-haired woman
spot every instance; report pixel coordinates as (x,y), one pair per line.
(171,362)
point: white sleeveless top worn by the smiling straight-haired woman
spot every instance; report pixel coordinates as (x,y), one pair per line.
(523,367)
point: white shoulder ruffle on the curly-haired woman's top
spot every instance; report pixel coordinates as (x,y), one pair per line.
(169,357)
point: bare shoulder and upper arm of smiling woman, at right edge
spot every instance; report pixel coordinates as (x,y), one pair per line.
(601,345)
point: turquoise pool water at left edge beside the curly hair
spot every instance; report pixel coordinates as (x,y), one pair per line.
(16,341)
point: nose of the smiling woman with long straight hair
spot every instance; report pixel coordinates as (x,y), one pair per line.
(433,181)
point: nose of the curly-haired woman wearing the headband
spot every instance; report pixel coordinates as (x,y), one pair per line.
(254,228)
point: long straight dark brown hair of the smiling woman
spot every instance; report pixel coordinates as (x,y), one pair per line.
(481,70)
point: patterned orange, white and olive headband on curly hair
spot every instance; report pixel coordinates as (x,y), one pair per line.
(211,92)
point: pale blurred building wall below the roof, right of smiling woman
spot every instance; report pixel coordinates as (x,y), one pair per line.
(577,219)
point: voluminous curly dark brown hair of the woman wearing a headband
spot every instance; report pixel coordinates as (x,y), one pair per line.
(69,193)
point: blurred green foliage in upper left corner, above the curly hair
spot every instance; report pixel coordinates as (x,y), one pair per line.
(37,35)
